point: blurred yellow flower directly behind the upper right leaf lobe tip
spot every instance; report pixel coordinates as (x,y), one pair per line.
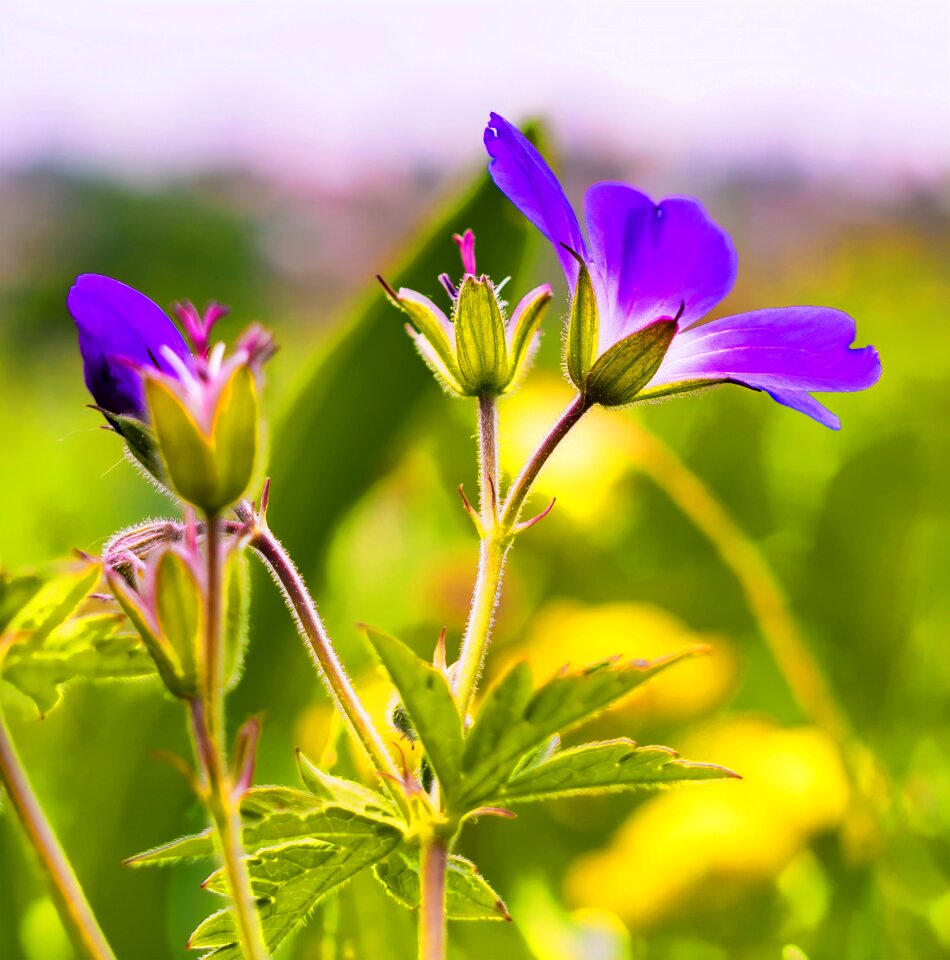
(567,632)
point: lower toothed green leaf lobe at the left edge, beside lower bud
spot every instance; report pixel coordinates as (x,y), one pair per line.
(91,648)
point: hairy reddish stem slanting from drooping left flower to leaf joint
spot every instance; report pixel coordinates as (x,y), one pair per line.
(312,629)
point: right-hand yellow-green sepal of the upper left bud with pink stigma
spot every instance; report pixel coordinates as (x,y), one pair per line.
(235,434)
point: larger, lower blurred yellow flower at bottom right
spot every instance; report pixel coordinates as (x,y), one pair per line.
(679,843)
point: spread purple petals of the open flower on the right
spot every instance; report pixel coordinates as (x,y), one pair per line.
(665,266)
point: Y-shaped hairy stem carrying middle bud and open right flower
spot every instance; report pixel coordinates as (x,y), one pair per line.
(497,538)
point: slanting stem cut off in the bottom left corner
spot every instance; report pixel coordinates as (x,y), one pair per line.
(70,901)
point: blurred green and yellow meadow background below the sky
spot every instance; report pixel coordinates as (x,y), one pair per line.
(842,861)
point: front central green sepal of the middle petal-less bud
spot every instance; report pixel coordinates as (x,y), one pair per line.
(480,338)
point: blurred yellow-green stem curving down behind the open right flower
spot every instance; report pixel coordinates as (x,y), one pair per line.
(761,589)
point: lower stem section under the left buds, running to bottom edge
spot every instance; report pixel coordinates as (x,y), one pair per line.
(224,806)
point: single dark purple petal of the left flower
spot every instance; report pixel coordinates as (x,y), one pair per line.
(121,332)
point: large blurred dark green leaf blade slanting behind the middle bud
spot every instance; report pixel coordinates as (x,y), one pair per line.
(367,363)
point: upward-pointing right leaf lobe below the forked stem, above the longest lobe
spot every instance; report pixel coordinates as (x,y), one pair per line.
(514,726)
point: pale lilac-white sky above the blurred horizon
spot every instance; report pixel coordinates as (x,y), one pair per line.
(334,91)
